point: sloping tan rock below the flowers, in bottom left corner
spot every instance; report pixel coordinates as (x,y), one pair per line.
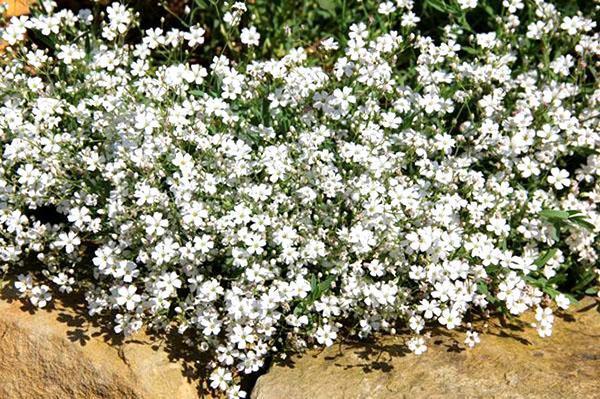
(60,353)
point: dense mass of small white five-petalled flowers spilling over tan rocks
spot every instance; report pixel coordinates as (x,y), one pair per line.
(383,181)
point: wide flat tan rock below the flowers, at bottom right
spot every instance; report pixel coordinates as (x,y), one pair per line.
(510,362)
